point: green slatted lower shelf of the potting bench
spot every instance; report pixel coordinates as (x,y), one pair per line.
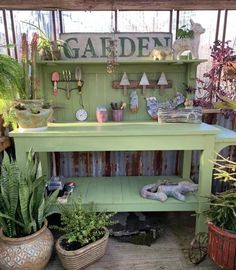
(122,194)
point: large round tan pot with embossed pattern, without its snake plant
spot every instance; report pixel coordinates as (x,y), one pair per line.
(26,253)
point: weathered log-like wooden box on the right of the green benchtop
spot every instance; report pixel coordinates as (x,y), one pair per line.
(185,115)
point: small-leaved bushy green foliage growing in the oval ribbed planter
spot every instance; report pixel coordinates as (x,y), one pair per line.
(82,226)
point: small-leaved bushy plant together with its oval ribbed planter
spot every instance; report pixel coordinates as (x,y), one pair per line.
(85,235)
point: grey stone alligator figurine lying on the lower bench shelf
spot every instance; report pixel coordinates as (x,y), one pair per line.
(161,191)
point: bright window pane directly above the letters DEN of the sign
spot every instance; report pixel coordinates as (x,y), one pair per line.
(143,21)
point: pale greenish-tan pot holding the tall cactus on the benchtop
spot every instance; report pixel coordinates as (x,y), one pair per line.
(30,121)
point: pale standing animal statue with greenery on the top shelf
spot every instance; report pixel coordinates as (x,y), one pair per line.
(192,44)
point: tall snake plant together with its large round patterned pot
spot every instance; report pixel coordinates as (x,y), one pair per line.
(25,240)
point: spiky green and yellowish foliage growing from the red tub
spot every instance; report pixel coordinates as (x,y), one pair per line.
(222,211)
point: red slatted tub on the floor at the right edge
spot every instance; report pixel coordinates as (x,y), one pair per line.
(222,247)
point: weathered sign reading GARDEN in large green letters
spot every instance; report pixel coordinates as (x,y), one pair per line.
(130,46)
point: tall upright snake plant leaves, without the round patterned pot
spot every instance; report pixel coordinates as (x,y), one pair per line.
(23,205)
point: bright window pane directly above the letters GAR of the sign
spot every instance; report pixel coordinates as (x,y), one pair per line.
(85,21)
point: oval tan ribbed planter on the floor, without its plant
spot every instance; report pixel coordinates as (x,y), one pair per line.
(81,258)
